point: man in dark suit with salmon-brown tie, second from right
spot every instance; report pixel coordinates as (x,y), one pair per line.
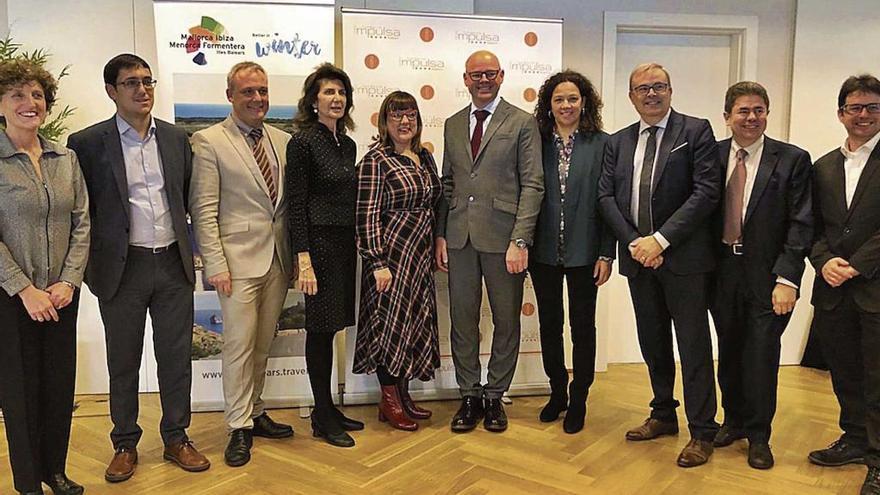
(765,228)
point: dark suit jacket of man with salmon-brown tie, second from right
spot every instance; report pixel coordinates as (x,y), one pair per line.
(778,227)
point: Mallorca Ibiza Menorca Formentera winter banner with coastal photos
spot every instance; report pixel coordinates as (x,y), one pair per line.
(197,44)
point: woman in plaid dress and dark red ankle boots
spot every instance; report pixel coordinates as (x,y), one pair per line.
(398,189)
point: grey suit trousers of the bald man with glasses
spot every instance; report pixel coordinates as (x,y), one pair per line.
(467,269)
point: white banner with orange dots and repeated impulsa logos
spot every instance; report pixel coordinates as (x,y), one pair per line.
(424,54)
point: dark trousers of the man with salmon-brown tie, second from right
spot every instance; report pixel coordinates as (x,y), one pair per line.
(749,334)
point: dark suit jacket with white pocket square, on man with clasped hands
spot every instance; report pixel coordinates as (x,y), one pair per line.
(686,190)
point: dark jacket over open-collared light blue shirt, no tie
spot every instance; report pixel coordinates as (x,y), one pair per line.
(99,149)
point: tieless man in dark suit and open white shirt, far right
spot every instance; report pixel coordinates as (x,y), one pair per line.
(846,292)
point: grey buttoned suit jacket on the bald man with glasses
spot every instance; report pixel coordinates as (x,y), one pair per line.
(496,197)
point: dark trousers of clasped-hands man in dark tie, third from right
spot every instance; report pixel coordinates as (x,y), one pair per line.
(661,298)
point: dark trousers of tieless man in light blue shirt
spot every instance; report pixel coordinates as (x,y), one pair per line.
(158,283)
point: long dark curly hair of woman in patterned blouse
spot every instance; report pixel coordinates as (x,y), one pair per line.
(591,118)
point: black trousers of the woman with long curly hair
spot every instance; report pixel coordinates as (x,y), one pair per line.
(547,281)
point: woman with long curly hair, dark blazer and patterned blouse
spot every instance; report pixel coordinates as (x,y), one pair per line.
(571,242)
